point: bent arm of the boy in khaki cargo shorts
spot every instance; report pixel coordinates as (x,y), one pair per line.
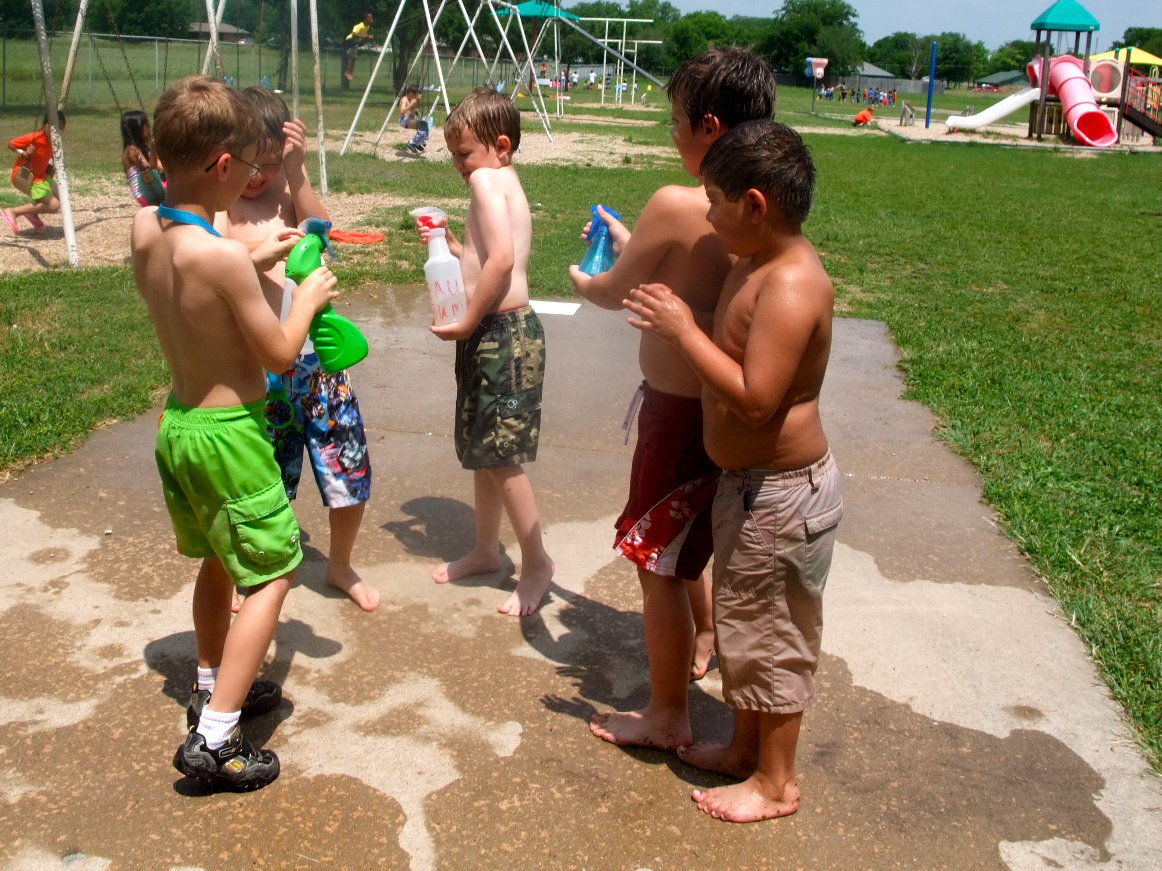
(780,328)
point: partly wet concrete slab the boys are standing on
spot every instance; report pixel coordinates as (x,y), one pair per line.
(960,724)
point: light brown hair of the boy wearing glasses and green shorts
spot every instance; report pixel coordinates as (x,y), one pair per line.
(199,118)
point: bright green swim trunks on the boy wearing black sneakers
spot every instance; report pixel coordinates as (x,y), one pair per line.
(225,493)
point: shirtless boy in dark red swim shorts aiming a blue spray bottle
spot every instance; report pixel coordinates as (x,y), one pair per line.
(675,244)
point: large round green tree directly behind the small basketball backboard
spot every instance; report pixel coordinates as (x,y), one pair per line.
(815,28)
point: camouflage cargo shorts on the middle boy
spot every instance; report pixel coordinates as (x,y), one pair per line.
(500,371)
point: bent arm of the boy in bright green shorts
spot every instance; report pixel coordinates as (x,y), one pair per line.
(276,345)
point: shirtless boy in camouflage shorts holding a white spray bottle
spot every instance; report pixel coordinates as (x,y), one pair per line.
(500,348)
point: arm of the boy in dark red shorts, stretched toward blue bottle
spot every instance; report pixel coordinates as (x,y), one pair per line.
(641,257)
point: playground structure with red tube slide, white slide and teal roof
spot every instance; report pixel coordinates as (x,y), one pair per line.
(1093,98)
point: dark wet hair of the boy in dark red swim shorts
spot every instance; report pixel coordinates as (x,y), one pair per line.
(733,84)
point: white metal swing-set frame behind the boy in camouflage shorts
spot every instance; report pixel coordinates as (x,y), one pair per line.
(520,66)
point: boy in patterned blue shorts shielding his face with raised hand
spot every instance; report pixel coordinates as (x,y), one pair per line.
(306,407)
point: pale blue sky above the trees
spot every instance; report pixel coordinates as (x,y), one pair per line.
(989,21)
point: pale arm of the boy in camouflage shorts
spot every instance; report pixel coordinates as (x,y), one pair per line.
(496,249)
